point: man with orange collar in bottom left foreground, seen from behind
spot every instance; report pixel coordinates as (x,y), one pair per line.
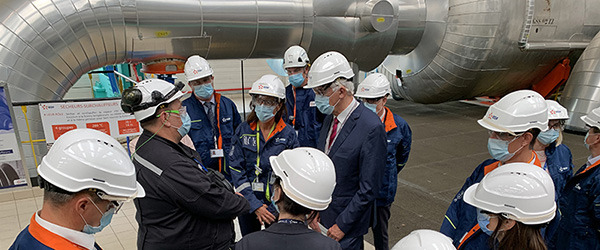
(76,204)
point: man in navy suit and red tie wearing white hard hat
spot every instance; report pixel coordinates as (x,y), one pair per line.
(355,140)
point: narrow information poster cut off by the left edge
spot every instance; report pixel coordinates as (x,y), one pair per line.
(12,171)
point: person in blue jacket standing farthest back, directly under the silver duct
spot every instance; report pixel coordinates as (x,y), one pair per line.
(303,114)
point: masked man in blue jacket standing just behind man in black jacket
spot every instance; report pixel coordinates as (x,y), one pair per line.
(214,117)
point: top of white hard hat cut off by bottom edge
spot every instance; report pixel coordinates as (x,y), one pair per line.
(424,239)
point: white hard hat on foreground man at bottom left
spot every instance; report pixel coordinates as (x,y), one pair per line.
(84,159)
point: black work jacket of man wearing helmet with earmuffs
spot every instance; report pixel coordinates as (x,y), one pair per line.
(184,207)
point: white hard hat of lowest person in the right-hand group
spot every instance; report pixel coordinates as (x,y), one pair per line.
(522,191)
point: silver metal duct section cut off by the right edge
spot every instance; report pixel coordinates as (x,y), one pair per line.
(582,92)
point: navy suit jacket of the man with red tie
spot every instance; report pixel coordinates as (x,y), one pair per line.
(359,154)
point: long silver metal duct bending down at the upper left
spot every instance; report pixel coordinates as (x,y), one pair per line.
(46,45)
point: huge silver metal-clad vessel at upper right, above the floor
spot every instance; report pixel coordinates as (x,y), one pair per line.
(491,47)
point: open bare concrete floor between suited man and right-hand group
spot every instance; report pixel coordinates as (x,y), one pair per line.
(447,146)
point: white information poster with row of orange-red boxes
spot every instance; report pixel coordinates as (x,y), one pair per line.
(105,116)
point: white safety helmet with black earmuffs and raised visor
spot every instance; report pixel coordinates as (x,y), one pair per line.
(143,99)
